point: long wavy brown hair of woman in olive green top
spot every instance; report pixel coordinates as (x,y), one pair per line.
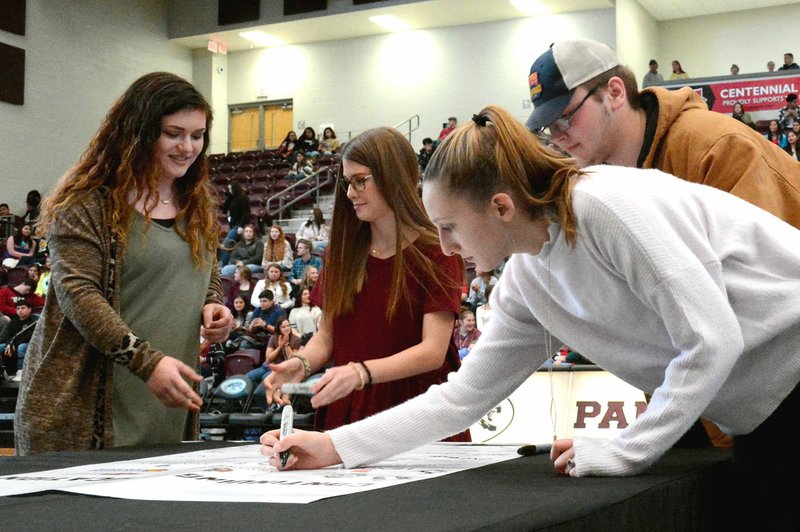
(121,158)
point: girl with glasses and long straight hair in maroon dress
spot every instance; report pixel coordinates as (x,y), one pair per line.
(388,294)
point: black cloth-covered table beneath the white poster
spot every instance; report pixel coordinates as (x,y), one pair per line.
(685,490)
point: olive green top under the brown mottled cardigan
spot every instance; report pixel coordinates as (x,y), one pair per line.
(162,293)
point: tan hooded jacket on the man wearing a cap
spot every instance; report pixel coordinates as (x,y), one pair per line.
(702,146)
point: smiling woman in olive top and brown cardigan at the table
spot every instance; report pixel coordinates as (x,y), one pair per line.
(142,182)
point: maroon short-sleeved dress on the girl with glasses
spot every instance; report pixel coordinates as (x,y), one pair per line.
(364,334)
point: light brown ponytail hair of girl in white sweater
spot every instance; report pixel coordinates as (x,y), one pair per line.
(494,153)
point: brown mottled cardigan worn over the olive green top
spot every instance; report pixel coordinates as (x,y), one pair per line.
(65,397)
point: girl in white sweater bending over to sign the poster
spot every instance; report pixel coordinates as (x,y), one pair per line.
(681,290)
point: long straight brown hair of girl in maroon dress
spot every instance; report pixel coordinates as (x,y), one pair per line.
(393,164)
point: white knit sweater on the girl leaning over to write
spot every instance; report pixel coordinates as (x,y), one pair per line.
(681,290)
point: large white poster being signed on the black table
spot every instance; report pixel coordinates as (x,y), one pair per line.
(241,474)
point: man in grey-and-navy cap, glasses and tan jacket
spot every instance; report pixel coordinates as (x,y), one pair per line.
(672,131)
